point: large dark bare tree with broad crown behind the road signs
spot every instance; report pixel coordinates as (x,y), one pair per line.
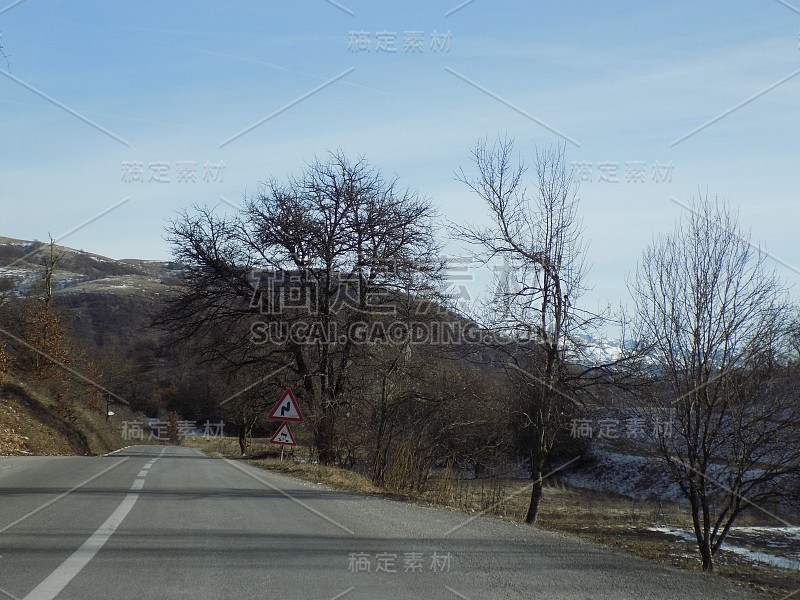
(301,264)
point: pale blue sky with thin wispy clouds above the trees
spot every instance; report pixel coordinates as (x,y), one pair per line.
(622,80)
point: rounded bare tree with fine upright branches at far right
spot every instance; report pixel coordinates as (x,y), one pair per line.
(714,318)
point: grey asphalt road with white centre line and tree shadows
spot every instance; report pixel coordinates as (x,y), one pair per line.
(168,522)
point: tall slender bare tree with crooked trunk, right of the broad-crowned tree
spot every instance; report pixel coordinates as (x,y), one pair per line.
(538,237)
